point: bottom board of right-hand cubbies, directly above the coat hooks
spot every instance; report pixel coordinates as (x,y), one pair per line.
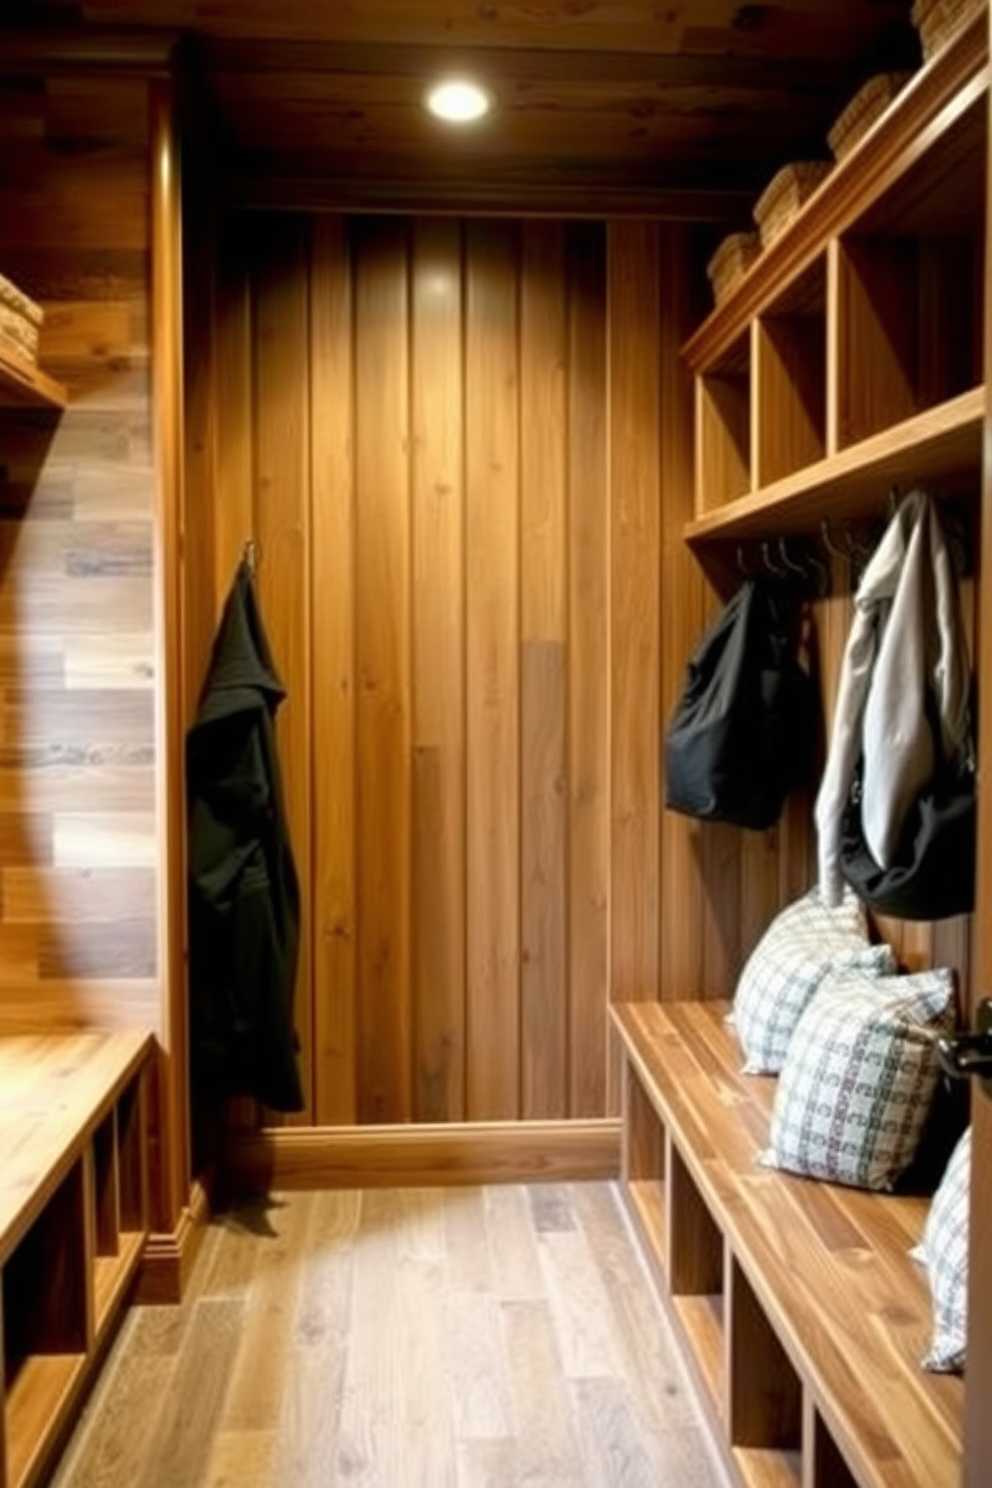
(942,443)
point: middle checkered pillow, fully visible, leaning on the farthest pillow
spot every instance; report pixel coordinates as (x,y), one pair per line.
(859,1080)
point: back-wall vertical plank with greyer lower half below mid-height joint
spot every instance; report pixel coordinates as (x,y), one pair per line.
(544,673)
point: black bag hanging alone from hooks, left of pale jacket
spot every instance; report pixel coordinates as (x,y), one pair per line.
(743,733)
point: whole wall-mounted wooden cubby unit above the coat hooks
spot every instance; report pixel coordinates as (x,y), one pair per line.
(848,359)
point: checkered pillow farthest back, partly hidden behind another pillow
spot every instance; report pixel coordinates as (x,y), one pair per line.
(802,947)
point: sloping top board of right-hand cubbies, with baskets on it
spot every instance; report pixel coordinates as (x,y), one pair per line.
(935,100)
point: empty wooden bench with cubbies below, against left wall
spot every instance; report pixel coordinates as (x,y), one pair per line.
(74,1221)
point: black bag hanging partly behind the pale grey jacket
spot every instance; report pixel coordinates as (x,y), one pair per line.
(933,874)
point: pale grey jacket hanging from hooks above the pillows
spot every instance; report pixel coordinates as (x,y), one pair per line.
(904,690)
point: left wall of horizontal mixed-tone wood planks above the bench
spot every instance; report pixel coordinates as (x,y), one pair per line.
(78,807)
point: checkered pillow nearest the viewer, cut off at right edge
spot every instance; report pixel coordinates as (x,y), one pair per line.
(945,1254)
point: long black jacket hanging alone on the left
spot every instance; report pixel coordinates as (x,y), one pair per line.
(243,888)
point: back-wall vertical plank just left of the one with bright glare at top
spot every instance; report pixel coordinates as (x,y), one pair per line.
(383,575)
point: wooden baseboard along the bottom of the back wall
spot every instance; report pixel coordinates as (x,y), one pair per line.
(425,1155)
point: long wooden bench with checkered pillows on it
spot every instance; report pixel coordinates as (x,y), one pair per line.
(801,1313)
